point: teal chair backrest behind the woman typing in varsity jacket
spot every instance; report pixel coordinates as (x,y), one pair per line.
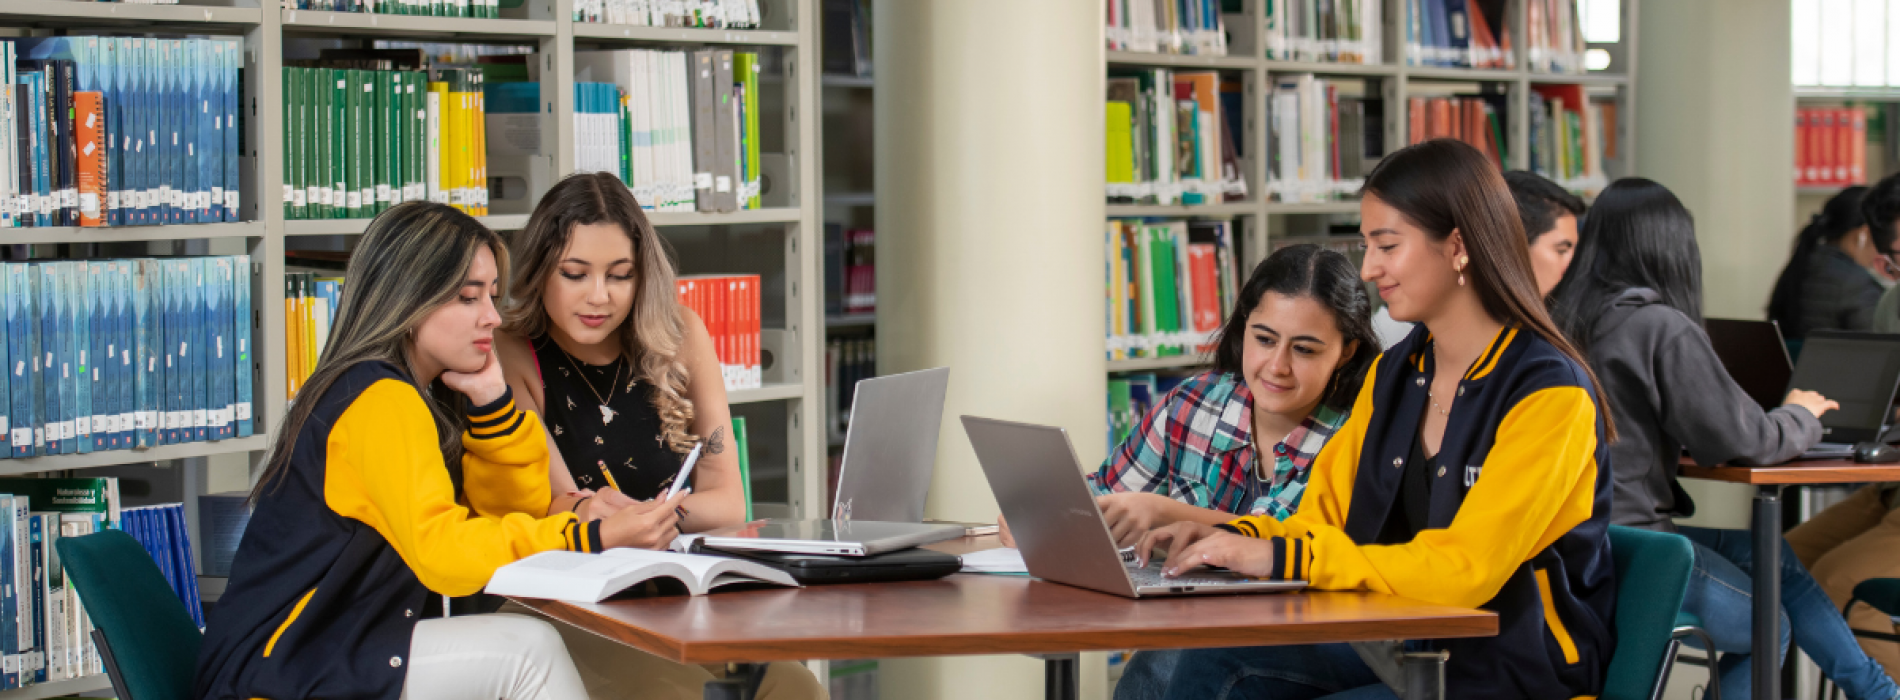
(1652,577)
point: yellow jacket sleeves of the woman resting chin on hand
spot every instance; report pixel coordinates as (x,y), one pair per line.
(387,471)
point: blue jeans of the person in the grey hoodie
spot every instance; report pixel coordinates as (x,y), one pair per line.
(1720,594)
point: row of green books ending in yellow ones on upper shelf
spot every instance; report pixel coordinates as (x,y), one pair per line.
(362,142)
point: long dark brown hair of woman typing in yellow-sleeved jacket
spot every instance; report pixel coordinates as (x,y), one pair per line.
(1447,185)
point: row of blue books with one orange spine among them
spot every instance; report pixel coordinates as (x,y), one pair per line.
(159,144)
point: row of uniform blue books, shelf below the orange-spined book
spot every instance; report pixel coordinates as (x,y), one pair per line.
(124,355)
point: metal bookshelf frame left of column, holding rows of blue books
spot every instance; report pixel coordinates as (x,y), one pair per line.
(789,431)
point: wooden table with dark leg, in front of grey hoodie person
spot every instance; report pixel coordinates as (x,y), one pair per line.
(1768,535)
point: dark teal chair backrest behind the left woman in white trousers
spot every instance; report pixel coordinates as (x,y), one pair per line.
(153,638)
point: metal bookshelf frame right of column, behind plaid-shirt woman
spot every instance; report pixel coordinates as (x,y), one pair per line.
(1263,224)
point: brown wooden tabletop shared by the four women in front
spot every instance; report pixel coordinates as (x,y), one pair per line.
(993,615)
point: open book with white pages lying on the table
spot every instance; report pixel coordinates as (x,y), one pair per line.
(592,577)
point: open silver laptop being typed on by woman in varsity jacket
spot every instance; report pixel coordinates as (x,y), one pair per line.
(1063,537)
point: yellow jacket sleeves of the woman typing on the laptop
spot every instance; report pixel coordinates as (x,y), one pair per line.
(1538,484)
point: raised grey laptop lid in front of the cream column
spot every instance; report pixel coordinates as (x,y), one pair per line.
(890,450)
